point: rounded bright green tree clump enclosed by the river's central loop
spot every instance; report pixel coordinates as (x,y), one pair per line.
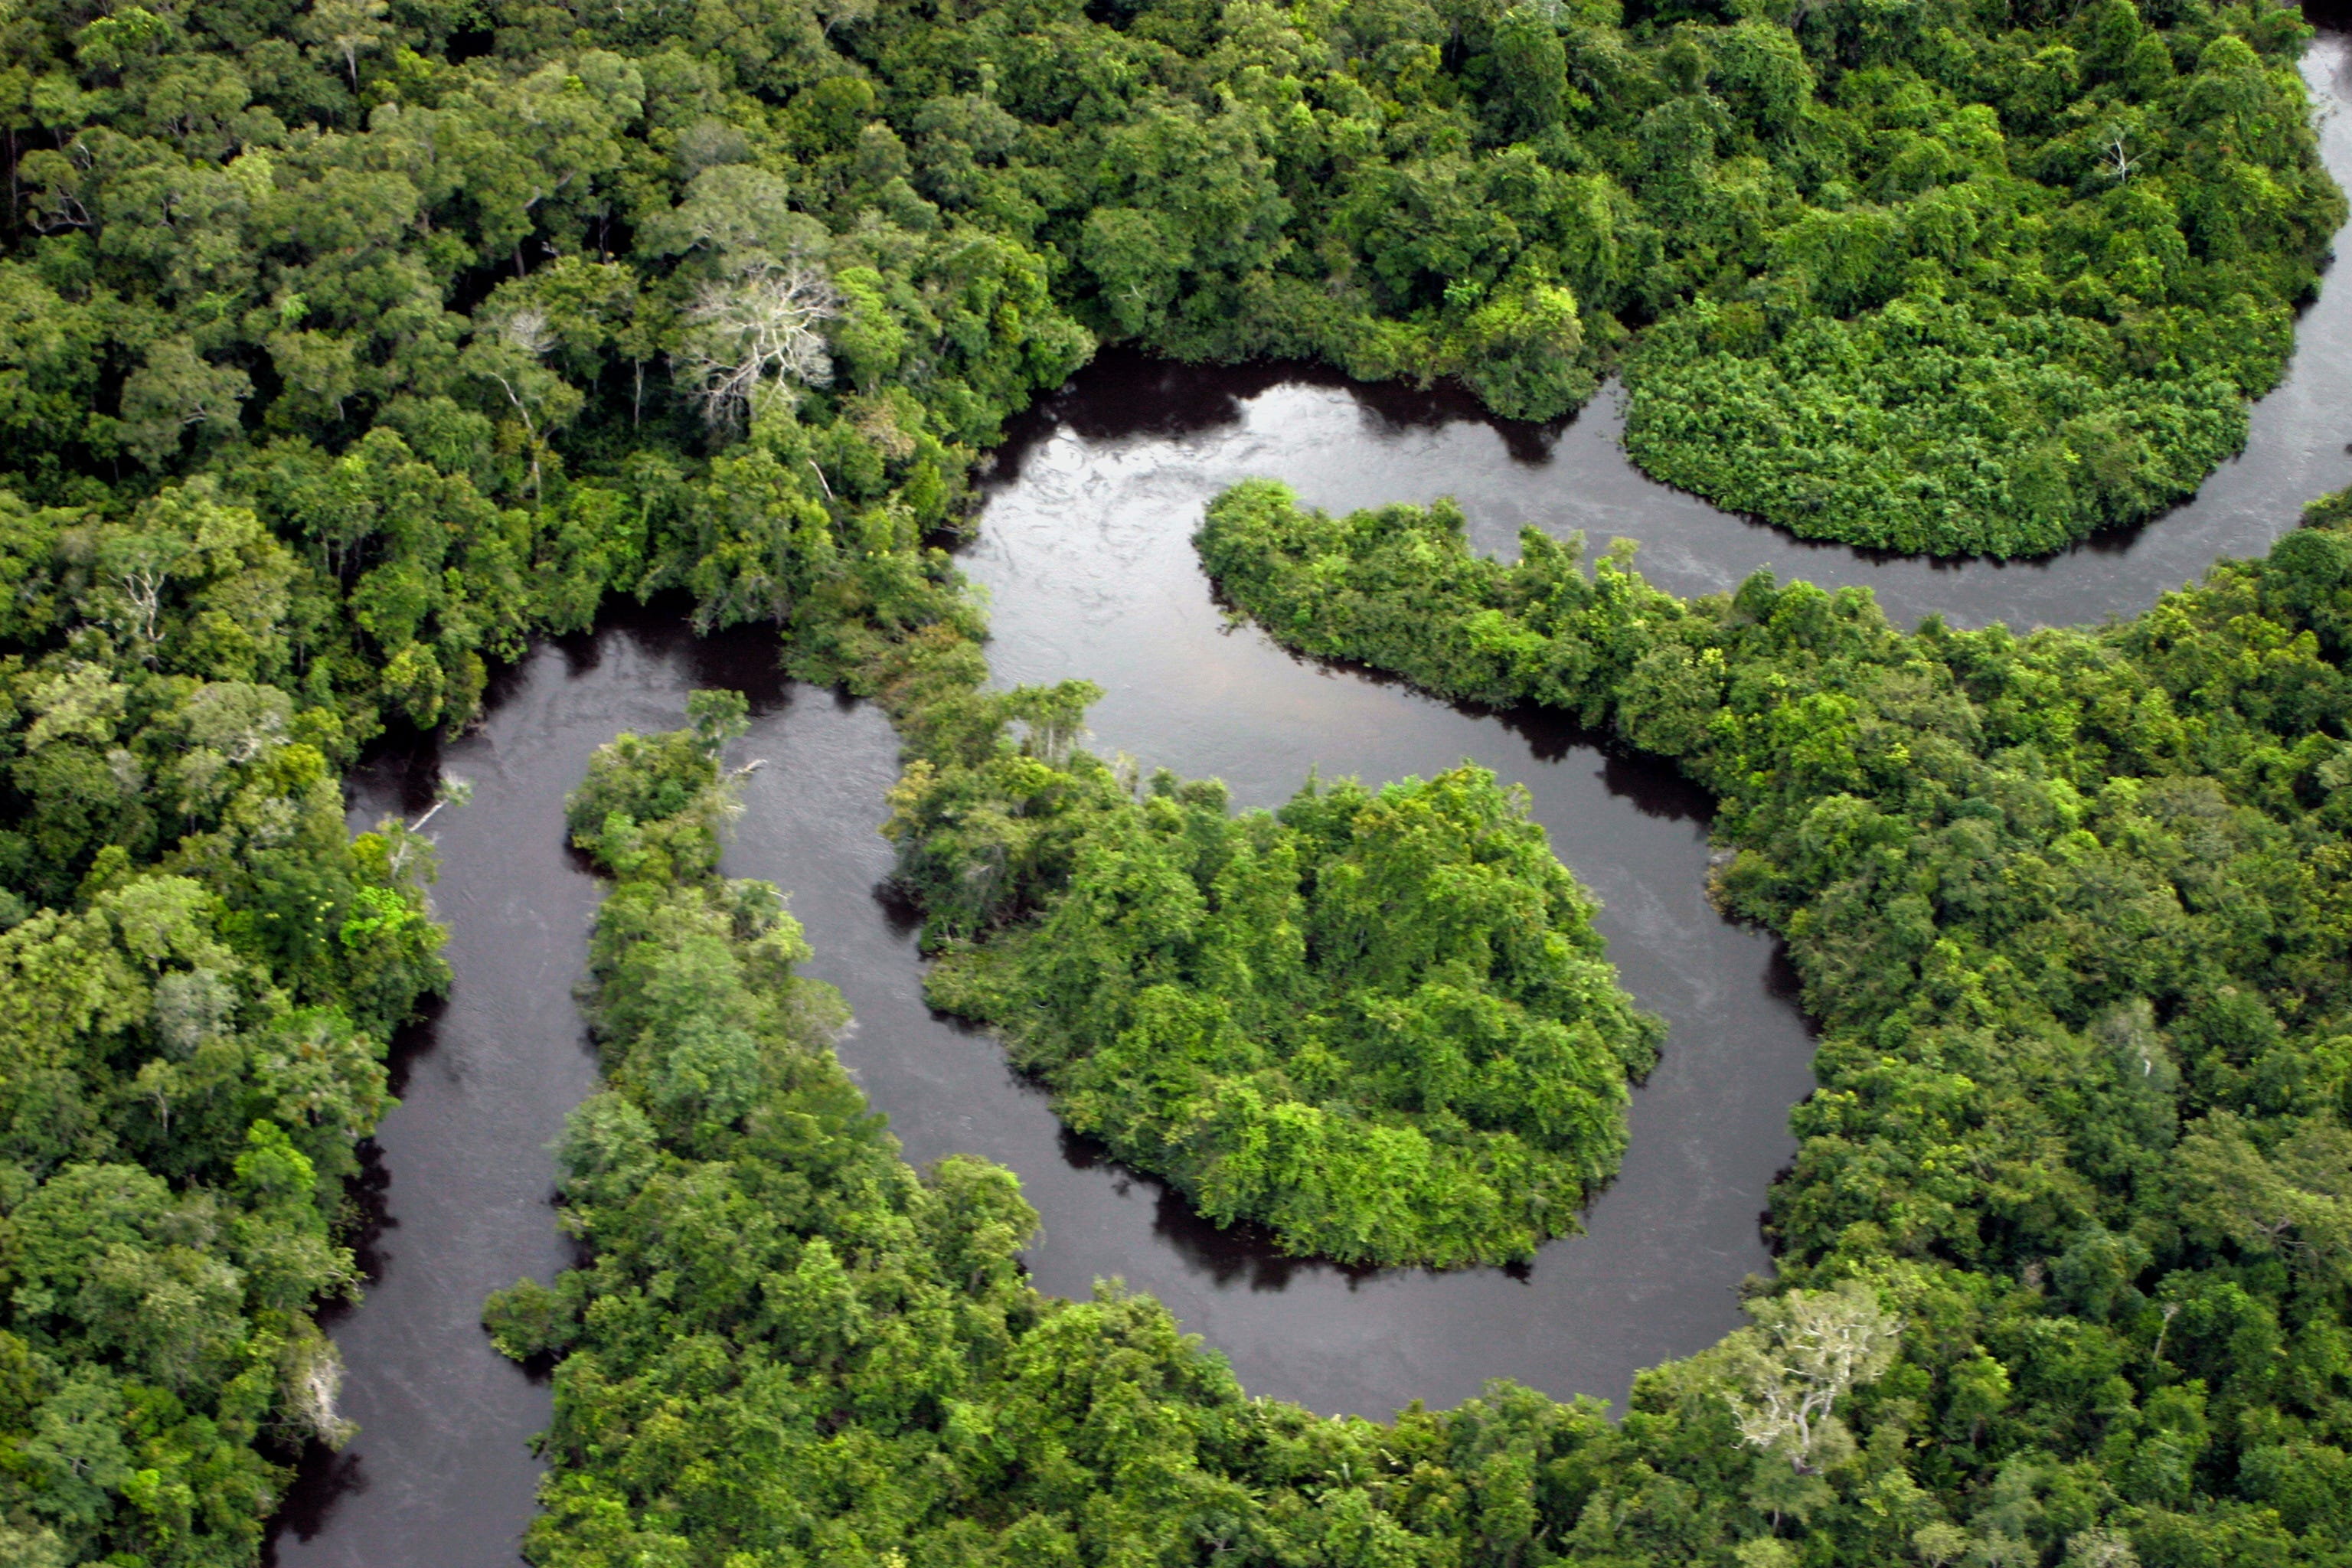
(1377,1024)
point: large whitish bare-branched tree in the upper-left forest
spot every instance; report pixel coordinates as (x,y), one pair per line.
(759,328)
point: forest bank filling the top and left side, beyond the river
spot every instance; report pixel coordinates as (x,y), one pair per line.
(345,349)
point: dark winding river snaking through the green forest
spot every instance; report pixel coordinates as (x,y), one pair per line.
(1085,556)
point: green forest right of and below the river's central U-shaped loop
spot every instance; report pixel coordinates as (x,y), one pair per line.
(2064,1254)
